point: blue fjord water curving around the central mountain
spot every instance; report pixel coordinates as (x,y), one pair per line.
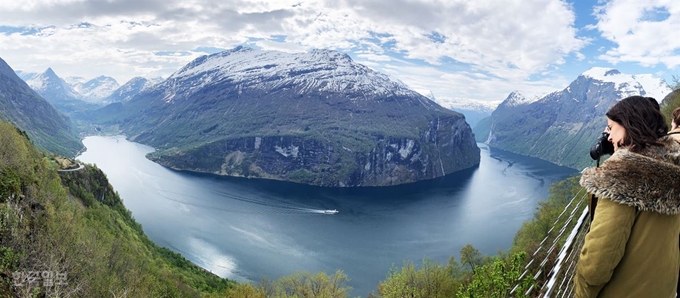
(247,229)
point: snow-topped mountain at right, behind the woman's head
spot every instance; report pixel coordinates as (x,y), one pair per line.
(562,126)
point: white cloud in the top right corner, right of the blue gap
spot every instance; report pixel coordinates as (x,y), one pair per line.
(644,32)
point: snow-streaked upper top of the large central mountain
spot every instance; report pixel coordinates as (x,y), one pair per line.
(318,70)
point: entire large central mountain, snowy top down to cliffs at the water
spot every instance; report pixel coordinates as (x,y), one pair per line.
(316,118)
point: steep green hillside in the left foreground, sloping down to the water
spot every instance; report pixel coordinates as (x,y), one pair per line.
(76,227)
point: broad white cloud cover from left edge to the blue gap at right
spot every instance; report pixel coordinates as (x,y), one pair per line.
(481,49)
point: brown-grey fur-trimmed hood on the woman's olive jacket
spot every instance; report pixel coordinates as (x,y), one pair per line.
(648,180)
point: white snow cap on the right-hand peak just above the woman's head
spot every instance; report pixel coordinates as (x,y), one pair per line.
(628,85)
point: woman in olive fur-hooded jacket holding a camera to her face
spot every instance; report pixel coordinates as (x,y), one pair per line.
(631,249)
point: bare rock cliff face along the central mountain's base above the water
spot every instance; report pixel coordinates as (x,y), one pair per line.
(445,148)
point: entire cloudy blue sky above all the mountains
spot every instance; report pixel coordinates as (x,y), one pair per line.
(480,50)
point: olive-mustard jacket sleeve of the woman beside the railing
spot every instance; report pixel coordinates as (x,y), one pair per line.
(604,247)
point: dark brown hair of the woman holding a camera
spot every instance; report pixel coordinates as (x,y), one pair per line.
(642,120)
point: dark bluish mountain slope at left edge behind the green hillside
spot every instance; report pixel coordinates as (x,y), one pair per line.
(27,110)
